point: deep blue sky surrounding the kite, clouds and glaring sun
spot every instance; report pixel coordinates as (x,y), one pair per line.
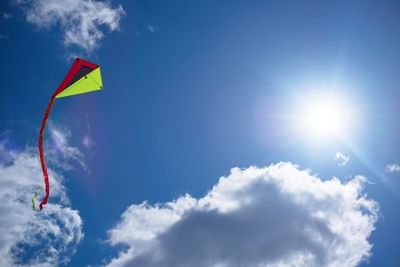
(195,88)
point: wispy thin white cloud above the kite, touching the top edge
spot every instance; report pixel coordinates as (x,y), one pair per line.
(82,21)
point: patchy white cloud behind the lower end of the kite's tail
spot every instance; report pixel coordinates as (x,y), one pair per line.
(29,238)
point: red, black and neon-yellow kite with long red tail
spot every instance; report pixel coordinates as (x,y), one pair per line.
(83,77)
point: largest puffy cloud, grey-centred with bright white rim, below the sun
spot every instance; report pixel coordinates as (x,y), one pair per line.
(274,216)
